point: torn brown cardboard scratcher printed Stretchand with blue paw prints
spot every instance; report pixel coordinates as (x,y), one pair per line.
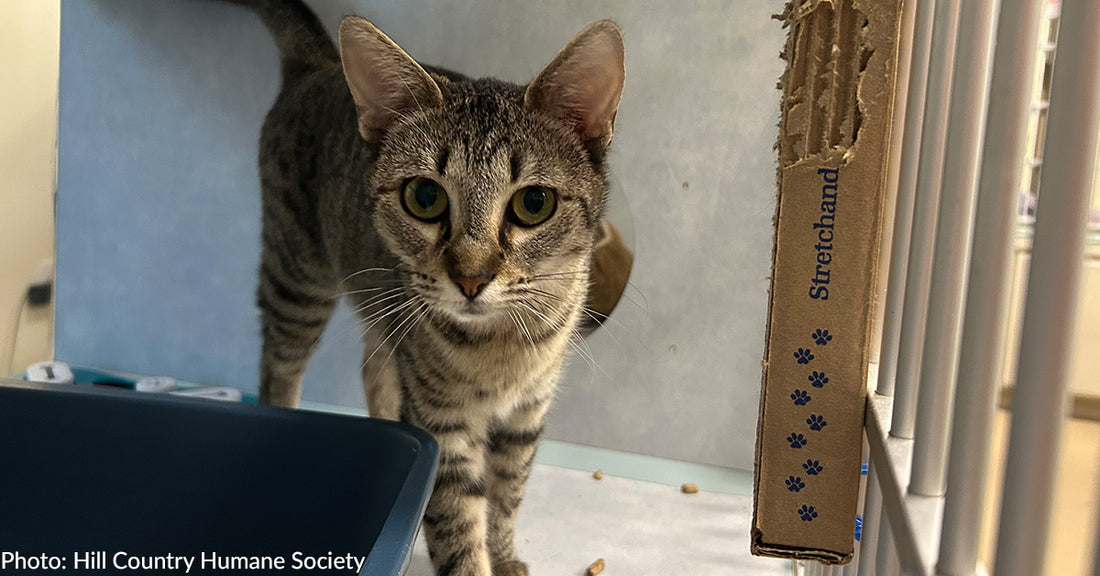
(833,148)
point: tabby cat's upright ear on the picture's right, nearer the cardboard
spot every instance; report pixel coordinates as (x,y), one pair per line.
(584,83)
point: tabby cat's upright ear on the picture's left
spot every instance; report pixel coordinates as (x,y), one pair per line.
(384,81)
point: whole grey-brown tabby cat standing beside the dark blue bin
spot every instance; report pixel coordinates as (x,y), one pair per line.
(460,217)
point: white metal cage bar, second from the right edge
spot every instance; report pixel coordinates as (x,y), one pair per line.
(988,292)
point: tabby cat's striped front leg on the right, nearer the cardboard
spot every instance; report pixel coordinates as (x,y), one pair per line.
(511,453)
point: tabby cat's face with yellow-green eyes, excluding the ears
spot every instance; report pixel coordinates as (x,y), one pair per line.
(492,209)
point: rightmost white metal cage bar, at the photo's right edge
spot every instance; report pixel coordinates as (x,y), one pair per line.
(1053,286)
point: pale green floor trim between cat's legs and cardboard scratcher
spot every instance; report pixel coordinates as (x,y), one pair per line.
(642,468)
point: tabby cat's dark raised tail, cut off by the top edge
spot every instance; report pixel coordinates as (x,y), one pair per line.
(302,40)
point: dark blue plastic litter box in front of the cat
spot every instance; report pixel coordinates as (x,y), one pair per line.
(89,471)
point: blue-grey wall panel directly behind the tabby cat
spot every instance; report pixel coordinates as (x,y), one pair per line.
(159,201)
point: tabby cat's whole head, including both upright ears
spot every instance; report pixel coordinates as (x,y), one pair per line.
(490,194)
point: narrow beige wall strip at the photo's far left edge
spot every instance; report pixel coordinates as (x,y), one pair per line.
(29,53)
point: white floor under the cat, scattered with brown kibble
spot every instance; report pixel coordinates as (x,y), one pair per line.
(569,519)
